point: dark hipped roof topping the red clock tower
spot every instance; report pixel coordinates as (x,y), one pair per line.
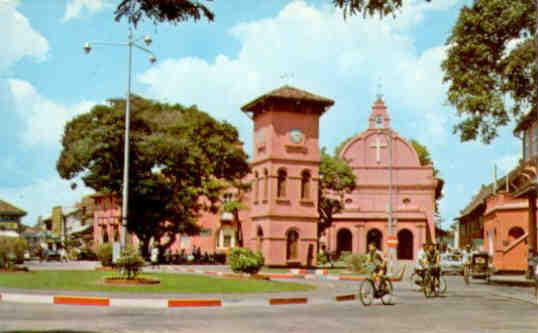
(286,93)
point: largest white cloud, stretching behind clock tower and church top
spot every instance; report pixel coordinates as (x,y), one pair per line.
(341,59)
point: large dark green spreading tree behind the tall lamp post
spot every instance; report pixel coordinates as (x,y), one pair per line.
(181,160)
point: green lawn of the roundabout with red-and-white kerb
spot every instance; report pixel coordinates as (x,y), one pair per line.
(170,283)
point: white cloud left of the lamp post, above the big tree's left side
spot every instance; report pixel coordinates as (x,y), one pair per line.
(44,119)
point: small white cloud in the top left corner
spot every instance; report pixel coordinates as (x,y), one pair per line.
(18,37)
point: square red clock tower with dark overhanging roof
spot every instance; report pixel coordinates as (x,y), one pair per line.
(285,168)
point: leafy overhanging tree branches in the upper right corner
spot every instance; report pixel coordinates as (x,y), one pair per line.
(490,66)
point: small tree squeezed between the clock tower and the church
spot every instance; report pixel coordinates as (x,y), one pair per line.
(336,180)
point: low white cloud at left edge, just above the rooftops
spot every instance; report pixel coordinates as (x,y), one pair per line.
(38,198)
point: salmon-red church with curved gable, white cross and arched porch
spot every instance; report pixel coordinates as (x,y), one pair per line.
(373,155)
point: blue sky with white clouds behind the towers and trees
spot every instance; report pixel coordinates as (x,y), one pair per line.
(46,80)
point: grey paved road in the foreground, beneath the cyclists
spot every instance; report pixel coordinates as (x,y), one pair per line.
(472,309)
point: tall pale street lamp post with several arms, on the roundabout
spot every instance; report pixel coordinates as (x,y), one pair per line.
(131,42)
